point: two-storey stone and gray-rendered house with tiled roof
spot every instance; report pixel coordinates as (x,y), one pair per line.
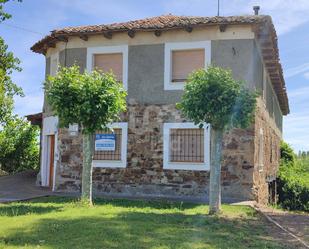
(154,151)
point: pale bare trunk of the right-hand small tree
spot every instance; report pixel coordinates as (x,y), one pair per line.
(215,171)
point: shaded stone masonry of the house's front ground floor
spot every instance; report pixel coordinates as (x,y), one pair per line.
(144,174)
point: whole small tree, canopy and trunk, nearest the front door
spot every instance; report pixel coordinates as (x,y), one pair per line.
(91,100)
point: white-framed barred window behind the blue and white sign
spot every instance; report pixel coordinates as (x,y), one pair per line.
(116,158)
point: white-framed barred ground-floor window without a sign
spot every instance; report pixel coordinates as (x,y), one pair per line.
(186,146)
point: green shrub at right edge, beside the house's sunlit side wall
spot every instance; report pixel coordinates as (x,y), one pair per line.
(293,180)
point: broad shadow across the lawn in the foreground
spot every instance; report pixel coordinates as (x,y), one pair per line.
(139,230)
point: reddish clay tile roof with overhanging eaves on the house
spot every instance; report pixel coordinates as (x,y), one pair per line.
(262,26)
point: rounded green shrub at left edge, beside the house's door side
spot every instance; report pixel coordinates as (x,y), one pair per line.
(19,147)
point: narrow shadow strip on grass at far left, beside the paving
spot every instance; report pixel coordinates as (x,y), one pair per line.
(23,209)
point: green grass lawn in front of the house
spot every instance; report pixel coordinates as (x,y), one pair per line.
(63,223)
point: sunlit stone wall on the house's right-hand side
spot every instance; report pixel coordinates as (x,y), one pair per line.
(270,155)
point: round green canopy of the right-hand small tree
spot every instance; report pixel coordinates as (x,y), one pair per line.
(214,97)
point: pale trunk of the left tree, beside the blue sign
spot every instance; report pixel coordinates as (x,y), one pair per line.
(87,168)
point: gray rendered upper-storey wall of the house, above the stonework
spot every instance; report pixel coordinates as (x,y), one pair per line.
(146,69)
